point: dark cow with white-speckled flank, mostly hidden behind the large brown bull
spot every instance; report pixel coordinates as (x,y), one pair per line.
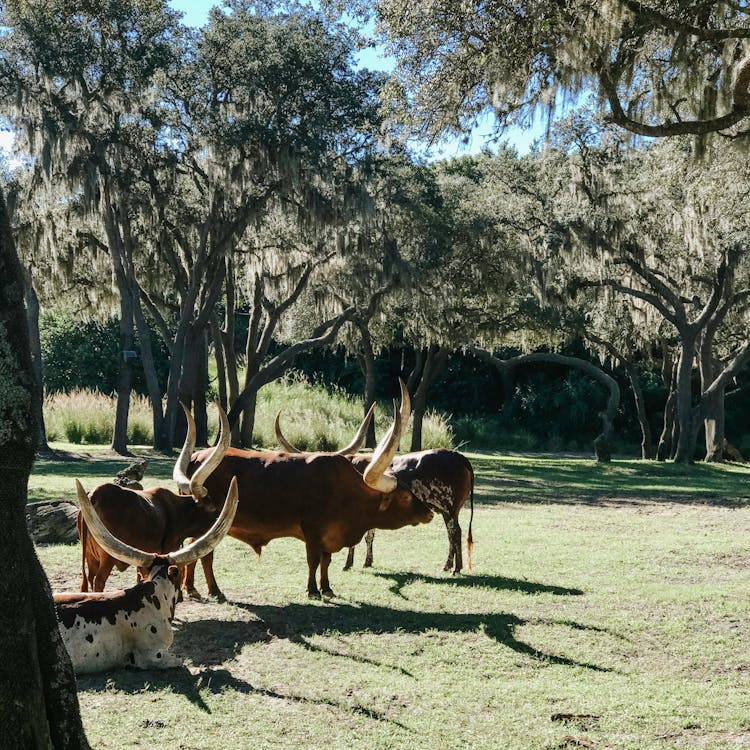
(442,479)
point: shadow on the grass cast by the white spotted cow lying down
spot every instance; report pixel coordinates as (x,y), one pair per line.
(195,686)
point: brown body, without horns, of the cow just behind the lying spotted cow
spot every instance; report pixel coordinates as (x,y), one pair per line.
(154,520)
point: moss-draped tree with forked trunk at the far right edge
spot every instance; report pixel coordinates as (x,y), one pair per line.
(665,232)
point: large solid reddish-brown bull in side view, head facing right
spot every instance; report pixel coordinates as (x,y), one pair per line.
(319,498)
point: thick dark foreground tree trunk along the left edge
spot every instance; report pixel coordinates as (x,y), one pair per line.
(38,700)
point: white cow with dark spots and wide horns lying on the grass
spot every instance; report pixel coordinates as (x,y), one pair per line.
(132,627)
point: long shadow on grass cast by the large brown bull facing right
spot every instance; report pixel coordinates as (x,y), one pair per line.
(298,622)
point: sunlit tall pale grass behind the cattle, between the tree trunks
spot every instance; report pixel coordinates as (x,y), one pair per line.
(313,417)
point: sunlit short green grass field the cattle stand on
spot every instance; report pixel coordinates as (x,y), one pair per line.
(608,608)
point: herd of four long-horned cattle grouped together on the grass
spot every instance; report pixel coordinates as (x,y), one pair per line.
(327,500)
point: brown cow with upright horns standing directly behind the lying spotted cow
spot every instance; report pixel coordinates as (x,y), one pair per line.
(156,520)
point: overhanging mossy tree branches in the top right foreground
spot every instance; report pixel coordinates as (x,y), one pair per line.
(657,69)
